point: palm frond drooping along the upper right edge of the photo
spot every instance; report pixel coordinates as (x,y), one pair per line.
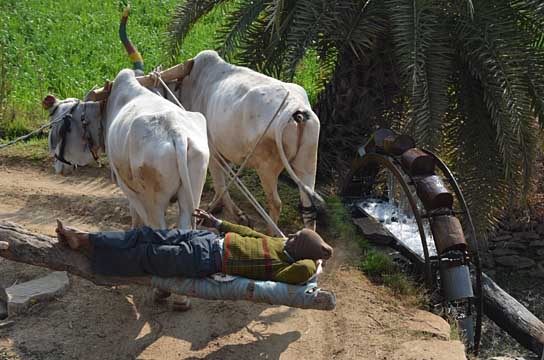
(494,50)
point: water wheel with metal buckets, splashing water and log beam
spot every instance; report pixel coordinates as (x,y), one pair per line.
(407,198)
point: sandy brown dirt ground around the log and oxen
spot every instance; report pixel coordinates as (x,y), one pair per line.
(92,322)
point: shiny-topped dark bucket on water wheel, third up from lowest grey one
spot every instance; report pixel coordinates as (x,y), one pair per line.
(433,193)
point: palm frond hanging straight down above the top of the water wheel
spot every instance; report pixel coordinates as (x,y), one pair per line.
(424,58)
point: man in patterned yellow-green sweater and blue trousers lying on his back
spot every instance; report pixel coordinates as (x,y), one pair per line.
(238,250)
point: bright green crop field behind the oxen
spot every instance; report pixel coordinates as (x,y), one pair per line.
(66,47)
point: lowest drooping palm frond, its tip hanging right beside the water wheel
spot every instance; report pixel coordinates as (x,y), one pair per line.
(470,146)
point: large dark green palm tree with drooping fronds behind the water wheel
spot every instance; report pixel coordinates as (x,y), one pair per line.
(464,77)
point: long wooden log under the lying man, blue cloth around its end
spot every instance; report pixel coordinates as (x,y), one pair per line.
(21,245)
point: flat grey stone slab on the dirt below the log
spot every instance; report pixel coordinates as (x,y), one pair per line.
(21,296)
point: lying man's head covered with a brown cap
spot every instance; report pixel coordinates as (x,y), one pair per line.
(307,244)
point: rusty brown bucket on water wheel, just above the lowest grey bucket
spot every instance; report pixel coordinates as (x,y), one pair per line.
(447,233)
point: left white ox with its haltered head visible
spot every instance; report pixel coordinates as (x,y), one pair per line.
(157,151)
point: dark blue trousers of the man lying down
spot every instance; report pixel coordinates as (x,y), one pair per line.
(165,253)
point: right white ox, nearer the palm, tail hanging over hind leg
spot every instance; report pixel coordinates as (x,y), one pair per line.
(238,104)
